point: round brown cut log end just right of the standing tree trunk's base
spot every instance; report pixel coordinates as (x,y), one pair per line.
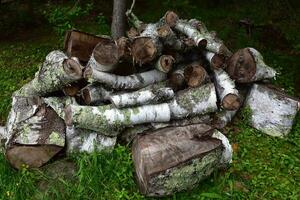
(143,49)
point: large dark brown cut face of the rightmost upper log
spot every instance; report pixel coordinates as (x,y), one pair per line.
(241,66)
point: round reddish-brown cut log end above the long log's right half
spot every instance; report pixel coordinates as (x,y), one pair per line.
(195,75)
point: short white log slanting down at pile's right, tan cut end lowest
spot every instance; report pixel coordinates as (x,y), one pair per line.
(227,92)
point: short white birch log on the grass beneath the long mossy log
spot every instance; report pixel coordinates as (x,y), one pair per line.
(83,140)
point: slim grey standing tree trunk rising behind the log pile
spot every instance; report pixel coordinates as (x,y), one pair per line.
(118,24)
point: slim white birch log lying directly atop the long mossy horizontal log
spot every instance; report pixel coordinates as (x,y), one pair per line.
(142,97)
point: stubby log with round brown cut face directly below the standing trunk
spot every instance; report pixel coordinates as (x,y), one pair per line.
(105,56)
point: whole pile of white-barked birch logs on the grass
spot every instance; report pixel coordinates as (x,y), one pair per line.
(169,87)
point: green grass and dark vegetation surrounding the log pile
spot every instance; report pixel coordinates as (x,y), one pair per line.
(263,167)
